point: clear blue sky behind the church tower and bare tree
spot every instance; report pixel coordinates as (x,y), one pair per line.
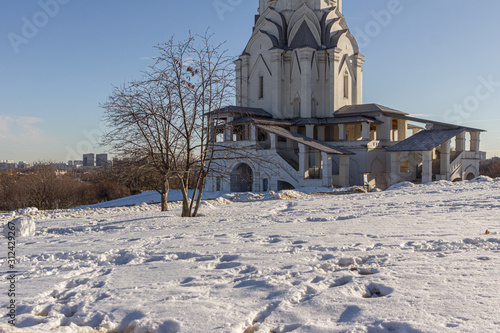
(434,58)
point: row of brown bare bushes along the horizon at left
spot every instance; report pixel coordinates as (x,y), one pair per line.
(47,187)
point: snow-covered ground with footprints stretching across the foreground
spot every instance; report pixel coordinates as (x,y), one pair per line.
(410,259)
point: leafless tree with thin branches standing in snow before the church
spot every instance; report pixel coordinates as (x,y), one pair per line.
(164,119)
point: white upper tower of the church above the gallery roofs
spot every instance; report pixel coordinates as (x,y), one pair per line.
(301,61)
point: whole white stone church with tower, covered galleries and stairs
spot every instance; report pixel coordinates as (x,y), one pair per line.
(300,111)
